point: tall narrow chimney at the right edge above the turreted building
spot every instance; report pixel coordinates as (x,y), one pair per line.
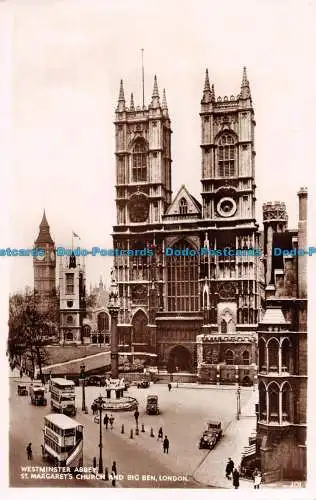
(302,243)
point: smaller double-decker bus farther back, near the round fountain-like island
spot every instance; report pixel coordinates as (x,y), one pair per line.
(62,393)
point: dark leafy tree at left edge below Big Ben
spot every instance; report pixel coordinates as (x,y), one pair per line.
(27,327)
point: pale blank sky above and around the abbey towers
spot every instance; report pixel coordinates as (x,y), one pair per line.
(67,60)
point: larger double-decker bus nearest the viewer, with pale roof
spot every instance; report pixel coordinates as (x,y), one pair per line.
(63,441)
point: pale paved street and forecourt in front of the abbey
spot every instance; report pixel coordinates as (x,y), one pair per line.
(184,412)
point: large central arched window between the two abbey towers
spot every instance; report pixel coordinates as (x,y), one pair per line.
(182,279)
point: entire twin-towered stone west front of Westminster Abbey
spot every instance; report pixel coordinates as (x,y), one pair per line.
(199,311)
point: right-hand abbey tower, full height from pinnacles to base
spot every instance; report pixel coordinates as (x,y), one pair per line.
(231,299)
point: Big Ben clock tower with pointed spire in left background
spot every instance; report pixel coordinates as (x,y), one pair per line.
(44,266)
